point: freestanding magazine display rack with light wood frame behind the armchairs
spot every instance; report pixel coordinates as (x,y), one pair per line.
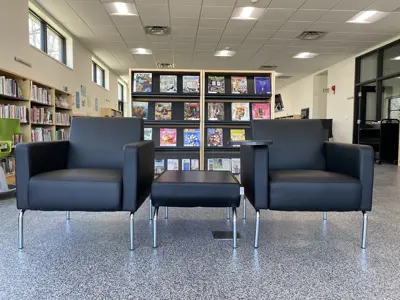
(206,123)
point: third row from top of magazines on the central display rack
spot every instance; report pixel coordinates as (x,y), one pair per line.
(191,137)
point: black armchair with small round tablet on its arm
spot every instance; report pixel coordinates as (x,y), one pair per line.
(301,172)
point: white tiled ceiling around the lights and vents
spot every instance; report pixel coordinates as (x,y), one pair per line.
(199,27)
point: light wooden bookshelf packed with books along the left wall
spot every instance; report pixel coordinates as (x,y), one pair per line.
(44,111)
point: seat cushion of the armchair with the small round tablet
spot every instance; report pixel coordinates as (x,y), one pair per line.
(313,190)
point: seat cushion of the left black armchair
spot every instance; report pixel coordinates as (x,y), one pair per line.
(76,189)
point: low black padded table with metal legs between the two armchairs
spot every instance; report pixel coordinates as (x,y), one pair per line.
(195,189)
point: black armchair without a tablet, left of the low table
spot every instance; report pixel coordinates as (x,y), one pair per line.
(105,166)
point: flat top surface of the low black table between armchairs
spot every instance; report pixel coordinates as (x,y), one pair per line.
(218,177)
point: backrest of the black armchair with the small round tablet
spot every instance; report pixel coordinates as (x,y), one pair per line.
(297,144)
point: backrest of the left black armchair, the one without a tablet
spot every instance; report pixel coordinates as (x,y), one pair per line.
(99,142)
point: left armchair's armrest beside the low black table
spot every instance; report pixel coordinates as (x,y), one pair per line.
(138,174)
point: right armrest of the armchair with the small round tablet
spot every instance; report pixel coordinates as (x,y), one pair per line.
(356,161)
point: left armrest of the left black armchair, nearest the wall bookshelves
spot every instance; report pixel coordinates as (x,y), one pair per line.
(35,158)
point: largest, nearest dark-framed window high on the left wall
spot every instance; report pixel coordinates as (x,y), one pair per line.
(44,37)
